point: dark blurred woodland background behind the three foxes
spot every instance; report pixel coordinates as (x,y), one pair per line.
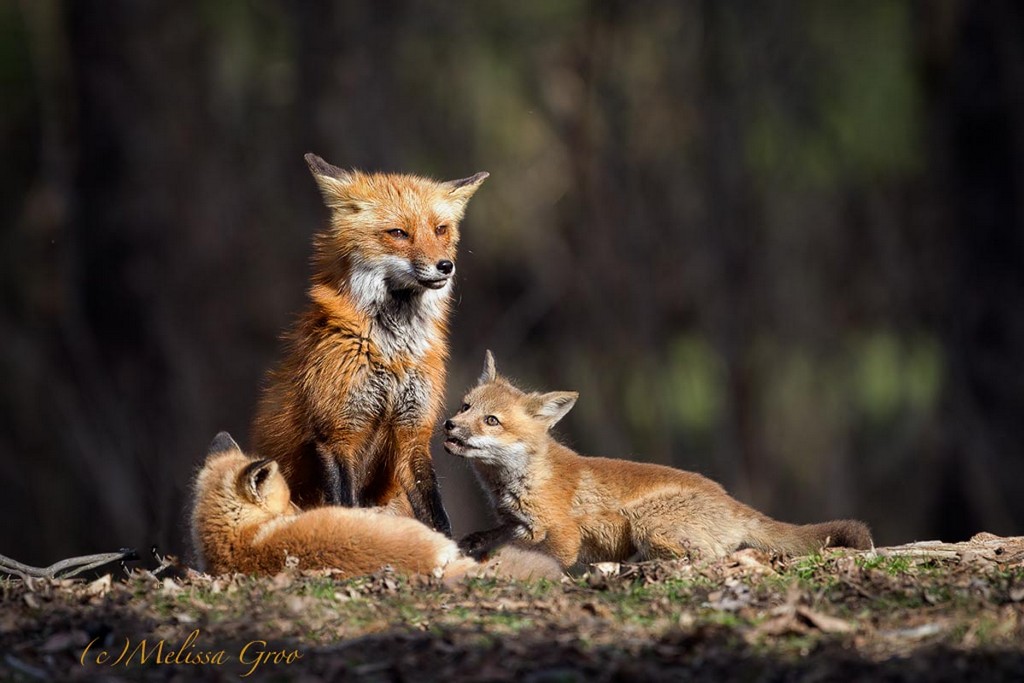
(778,244)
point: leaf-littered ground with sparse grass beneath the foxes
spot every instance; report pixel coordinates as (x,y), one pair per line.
(925,612)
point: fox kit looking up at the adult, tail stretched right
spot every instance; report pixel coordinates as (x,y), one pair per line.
(595,509)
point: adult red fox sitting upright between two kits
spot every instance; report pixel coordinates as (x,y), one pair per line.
(350,413)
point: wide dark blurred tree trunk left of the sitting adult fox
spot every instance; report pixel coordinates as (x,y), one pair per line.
(135,67)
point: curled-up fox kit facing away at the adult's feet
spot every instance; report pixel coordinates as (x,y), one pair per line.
(244,521)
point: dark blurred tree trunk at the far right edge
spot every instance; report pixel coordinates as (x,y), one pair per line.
(979,98)
